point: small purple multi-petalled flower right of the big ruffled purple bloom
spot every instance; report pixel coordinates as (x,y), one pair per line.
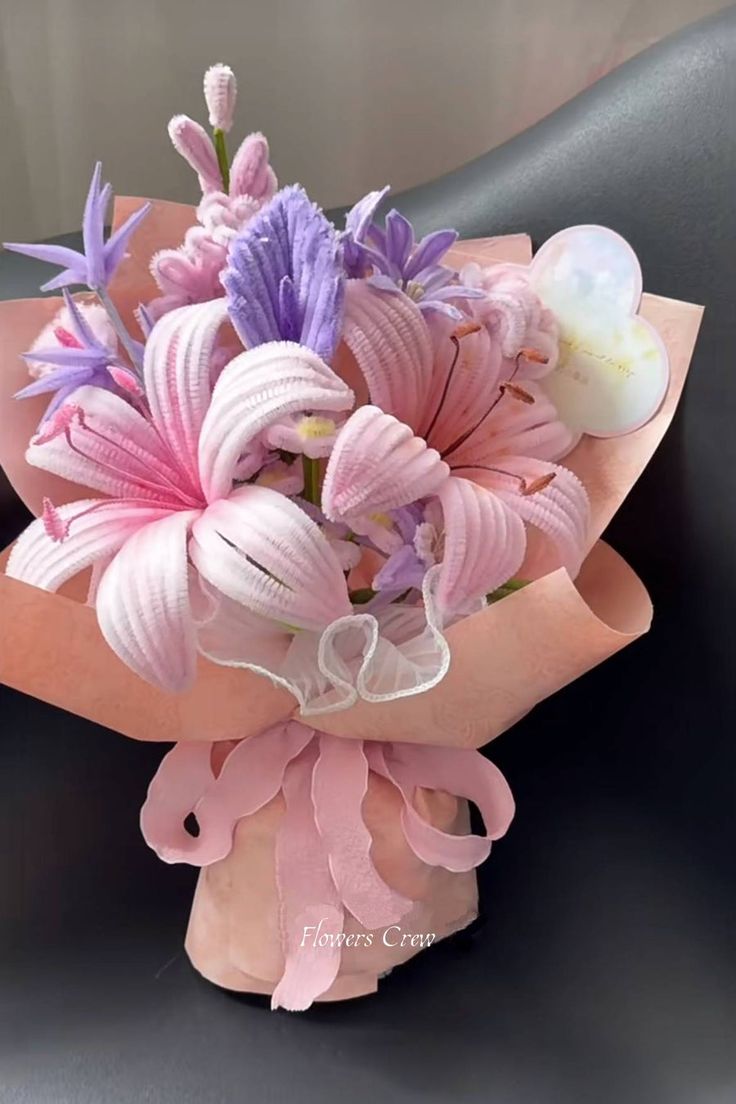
(394,261)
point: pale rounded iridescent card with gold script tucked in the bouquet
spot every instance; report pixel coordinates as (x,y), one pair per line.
(613,371)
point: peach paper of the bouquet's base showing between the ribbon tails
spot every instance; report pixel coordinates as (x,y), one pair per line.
(234,938)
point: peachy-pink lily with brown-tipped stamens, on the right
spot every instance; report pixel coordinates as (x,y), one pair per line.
(454,423)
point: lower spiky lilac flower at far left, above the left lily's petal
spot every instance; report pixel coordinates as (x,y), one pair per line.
(82,359)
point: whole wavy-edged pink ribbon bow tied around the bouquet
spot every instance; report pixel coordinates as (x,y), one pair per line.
(324,864)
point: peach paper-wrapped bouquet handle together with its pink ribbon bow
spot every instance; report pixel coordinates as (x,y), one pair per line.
(326,862)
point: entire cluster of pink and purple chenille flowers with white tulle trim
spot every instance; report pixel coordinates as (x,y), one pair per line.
(322,450)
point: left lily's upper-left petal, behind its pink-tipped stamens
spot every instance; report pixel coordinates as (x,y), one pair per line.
(113,450)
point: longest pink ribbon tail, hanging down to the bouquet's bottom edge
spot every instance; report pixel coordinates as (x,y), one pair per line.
(308,896)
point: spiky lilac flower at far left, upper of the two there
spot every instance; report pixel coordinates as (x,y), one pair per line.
(98,264)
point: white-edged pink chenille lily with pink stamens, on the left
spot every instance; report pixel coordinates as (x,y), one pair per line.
(175,523)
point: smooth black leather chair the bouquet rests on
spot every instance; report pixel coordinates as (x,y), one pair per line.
(605,969)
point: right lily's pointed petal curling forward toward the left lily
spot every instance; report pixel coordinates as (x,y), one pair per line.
(378,465)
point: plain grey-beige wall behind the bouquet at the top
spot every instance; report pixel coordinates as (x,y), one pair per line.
(351,93)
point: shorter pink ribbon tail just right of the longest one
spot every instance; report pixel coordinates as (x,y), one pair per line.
(339,787)
